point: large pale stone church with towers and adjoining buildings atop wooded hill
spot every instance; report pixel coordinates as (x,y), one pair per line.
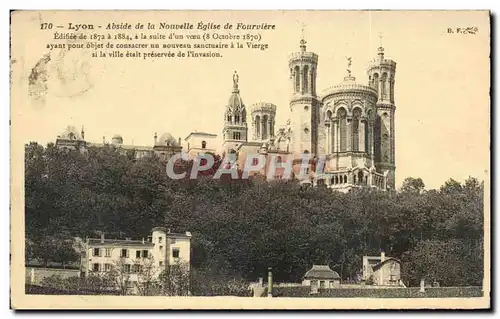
(350,126)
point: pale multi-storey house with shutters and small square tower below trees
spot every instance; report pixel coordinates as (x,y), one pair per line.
(160,250)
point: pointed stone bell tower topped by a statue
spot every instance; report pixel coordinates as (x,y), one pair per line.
(235,122)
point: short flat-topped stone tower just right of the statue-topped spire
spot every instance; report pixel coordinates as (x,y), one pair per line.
(263,119)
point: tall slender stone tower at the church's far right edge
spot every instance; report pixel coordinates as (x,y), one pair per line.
(381,77)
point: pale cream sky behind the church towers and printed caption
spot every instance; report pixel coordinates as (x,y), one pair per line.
(442,100)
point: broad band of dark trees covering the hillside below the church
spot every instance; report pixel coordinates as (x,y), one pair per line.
(242,227)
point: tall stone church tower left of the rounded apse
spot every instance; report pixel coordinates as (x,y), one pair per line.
(304,104)
